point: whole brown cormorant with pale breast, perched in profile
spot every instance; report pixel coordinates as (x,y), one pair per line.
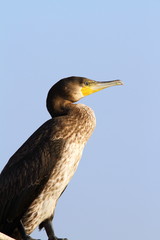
(37,174)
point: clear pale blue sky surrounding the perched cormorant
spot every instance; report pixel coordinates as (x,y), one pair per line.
(115,194)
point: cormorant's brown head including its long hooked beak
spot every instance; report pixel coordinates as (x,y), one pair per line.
(72,89)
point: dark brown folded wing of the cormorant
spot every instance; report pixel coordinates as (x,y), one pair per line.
(26,173)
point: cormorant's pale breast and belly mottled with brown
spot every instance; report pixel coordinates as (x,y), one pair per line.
(80,129)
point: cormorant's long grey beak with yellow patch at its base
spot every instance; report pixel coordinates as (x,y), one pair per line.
(95,86)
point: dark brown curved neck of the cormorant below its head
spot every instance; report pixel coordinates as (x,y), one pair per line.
(57,106)
